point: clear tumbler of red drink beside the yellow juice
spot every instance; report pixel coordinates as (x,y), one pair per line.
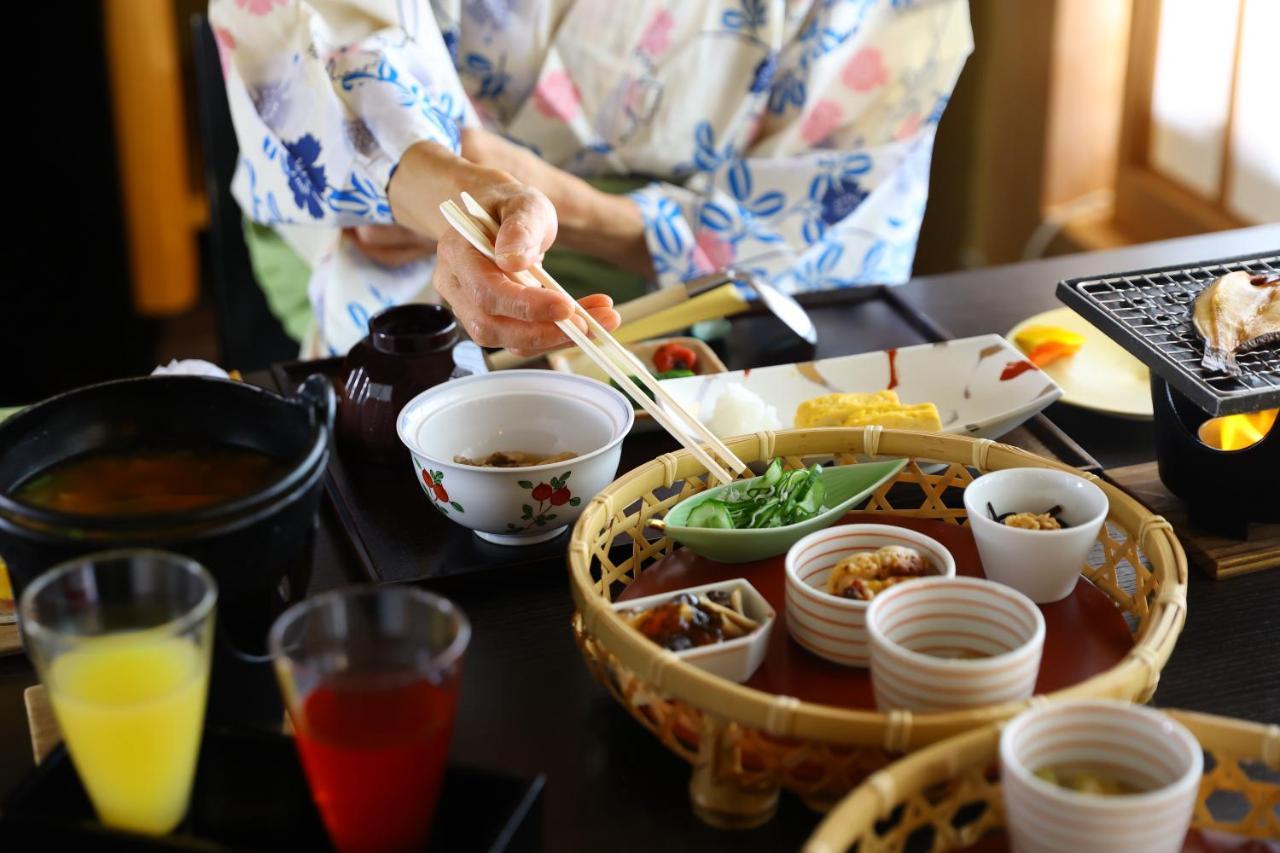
(371,679)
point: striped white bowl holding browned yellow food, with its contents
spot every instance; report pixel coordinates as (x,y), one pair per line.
(833,577)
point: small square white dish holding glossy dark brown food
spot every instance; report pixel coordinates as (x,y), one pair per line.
(723,628)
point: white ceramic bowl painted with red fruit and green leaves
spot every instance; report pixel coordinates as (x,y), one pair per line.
(515,410)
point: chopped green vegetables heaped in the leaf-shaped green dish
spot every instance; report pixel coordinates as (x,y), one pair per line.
(775,500)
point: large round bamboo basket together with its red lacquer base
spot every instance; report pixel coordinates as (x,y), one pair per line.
(808,726)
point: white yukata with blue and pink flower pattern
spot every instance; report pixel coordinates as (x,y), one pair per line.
(790,138)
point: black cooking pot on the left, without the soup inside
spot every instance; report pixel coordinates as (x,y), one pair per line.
(259,548)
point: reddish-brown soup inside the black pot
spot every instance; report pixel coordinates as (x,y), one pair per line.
(150,482)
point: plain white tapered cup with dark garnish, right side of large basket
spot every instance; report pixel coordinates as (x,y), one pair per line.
(1045,565)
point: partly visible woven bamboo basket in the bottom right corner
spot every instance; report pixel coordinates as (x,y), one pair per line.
(948,797)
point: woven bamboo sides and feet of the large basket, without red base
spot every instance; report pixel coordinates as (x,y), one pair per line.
(747,745)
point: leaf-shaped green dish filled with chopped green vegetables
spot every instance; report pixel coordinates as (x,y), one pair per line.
(766,516)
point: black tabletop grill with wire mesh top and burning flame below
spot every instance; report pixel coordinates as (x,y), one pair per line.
(1150,314)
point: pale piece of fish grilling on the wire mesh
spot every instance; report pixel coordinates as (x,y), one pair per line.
(1237,313)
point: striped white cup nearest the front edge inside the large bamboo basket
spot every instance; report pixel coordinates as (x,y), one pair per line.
(915,630)
